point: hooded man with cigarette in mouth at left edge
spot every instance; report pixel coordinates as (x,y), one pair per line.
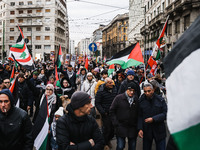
(15,125)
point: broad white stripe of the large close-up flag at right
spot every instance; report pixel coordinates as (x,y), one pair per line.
(183,94)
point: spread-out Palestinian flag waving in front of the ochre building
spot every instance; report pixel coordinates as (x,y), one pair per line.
(130,56)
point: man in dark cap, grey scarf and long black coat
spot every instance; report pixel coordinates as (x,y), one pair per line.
(124,115)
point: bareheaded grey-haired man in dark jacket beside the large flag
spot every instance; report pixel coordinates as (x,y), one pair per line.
(152,114)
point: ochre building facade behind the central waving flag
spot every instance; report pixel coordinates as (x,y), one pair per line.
(115,37)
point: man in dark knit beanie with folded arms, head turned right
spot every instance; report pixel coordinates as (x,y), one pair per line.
(77,130)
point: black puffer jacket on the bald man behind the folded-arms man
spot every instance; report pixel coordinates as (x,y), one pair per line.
(104,99)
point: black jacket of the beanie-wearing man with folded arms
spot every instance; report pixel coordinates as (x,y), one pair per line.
(78,130)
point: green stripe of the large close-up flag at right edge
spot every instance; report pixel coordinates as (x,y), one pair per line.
(188,139)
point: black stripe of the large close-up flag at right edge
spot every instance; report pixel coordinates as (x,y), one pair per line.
(186,44)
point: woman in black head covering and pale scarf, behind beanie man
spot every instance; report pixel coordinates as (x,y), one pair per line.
(66,88)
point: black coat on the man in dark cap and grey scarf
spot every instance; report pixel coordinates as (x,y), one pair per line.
(124,116)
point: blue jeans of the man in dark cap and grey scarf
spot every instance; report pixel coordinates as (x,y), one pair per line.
(121,143)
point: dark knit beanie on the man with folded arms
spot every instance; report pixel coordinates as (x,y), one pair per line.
(79,99)
